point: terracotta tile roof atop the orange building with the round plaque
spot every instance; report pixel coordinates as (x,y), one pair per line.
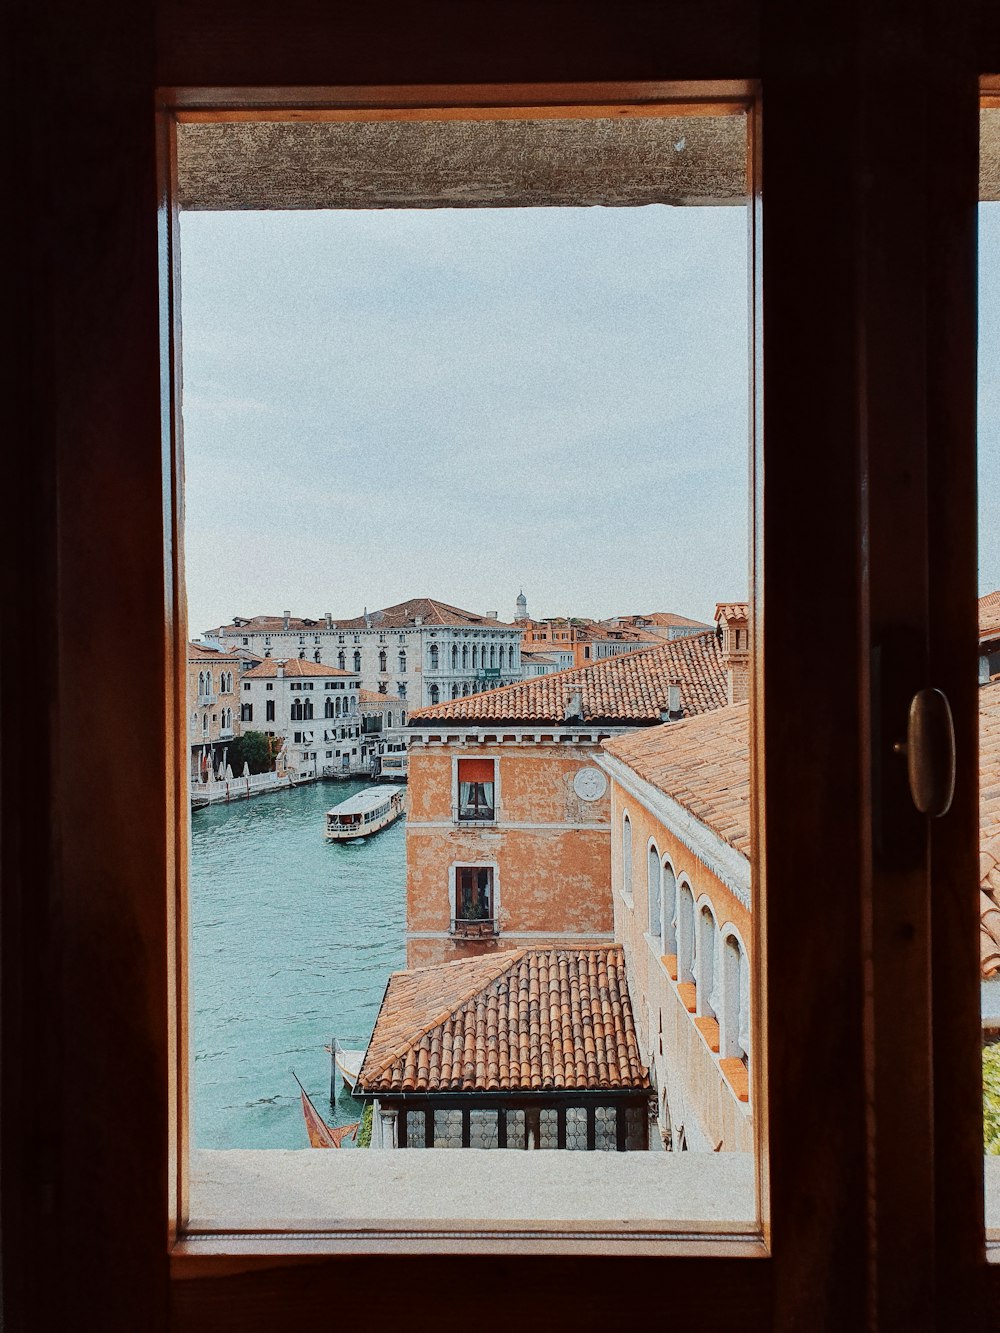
(629,688)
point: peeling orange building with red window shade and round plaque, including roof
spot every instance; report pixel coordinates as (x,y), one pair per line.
(509,832)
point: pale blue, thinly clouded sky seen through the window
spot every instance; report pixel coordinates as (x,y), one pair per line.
(463,403)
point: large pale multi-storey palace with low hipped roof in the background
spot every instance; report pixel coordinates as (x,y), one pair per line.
(423,651)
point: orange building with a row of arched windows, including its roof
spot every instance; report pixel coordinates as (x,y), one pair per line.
(681,864)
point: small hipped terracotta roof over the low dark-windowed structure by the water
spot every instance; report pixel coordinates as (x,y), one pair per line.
(518,1020)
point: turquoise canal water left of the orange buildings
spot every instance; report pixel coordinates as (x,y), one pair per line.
(293,943)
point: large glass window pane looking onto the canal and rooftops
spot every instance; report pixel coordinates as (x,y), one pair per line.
(478,836)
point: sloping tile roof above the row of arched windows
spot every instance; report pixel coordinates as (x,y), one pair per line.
(703,764)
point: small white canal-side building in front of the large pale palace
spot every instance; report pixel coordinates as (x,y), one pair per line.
(313,707)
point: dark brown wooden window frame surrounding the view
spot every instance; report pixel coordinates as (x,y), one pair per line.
(857,311)
